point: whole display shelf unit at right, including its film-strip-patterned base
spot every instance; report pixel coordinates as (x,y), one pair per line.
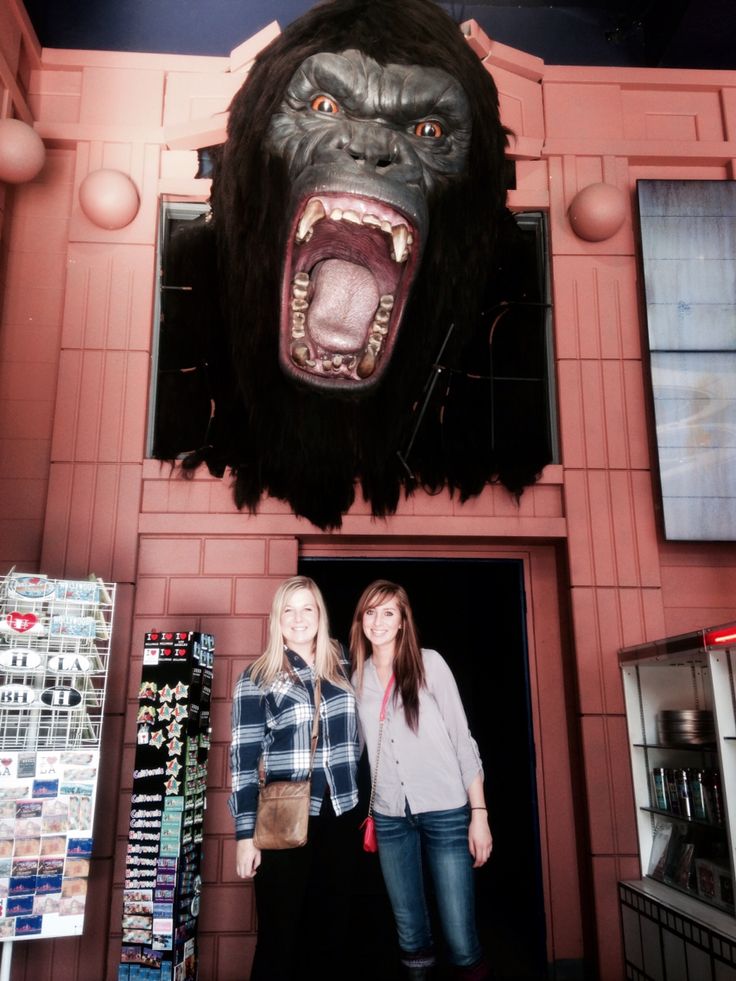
(680,698)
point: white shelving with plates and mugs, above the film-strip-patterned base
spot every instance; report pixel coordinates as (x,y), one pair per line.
(681,714)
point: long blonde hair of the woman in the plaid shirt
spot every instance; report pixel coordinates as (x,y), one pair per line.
(273,663)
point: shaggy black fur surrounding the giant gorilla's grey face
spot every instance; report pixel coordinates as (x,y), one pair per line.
(310,447)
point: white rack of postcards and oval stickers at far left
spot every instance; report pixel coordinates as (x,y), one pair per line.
(54,652)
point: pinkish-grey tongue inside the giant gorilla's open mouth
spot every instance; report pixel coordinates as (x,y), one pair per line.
(344,301)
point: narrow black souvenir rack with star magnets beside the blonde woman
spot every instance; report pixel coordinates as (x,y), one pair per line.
(162,876)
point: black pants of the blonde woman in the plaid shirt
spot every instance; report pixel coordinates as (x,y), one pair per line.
(303,902)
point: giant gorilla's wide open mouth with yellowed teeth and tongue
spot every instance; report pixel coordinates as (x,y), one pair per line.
(350,263)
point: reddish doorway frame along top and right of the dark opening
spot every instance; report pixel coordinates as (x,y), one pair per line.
(549,678)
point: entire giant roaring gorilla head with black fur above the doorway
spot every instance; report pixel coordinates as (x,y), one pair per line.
(356,212)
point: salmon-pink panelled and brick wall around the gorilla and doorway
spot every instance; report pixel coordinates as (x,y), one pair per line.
(78,495)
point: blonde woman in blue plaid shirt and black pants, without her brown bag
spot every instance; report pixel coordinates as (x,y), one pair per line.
(301,893)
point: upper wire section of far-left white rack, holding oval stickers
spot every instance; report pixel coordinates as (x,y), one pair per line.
(54,652)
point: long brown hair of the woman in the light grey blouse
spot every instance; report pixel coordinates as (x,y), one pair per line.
(408,665)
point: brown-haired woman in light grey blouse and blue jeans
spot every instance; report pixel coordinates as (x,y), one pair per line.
(428,781)
